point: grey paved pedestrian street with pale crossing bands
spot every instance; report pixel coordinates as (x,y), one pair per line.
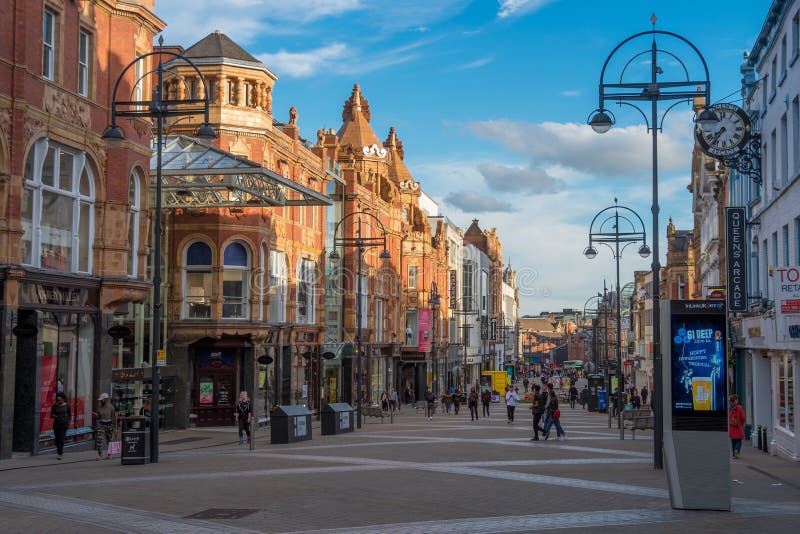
(411,475)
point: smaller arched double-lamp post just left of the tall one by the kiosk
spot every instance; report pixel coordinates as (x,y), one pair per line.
(600,231)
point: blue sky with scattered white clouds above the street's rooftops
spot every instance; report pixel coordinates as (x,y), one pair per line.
(490,99)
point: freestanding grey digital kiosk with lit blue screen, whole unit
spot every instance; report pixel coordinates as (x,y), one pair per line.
(696,443)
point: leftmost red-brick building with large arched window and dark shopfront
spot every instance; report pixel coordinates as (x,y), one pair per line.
(71,210)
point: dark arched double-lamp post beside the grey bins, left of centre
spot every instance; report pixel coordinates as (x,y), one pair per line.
(361,244)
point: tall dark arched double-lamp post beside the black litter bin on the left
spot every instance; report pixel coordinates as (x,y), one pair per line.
(157,108)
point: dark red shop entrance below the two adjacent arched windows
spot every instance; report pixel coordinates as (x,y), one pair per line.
(215,395)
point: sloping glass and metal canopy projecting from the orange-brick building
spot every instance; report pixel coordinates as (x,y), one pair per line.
(194,175)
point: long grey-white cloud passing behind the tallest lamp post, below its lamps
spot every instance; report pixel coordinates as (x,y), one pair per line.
(623,151)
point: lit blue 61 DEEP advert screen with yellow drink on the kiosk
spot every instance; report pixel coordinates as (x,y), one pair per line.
(698,364)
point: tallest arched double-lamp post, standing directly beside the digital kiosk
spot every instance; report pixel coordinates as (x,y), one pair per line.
(681,89)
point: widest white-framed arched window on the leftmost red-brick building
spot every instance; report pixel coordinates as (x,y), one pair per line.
(57,216)
